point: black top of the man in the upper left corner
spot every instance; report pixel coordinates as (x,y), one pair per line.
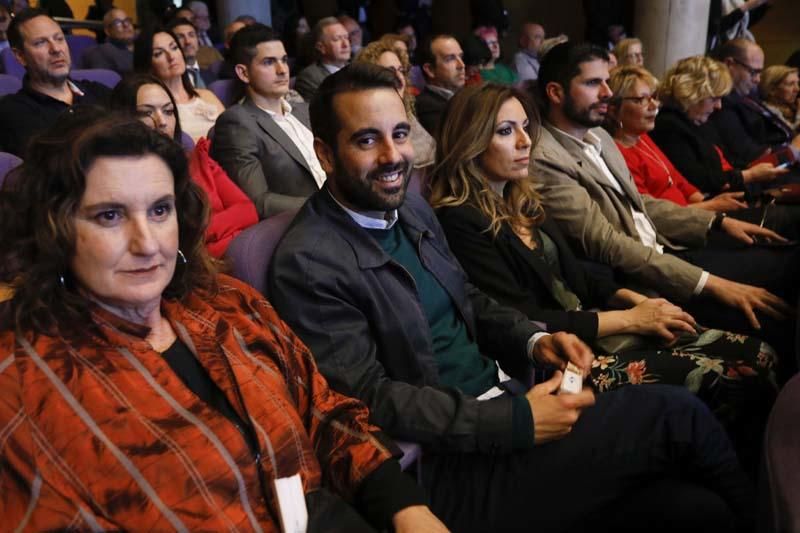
(28,112)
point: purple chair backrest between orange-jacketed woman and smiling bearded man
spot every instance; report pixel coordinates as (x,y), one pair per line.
(251,251)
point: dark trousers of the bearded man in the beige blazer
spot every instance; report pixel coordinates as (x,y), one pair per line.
(775,269)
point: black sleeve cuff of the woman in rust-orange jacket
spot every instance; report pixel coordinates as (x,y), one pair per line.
(386,491)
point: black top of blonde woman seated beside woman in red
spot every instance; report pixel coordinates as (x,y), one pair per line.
(690,148)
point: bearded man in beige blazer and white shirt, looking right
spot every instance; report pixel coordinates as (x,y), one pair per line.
(588,190)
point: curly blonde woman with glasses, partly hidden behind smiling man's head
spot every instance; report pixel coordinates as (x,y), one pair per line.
(385,54)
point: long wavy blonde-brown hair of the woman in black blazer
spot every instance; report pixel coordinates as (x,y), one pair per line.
(465,131)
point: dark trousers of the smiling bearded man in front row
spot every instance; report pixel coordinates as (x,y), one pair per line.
(650,451)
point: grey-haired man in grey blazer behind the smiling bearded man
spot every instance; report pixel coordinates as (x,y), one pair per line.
(332,48)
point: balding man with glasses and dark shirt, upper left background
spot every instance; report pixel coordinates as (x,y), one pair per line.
(117,52)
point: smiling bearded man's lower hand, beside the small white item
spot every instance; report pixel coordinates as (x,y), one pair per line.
(554,415)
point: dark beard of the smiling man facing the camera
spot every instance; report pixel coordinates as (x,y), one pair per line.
(359,193)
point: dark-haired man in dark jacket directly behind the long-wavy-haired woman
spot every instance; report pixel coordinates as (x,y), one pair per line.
(442,62)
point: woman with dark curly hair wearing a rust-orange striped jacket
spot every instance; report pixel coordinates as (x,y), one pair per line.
(139,388)
